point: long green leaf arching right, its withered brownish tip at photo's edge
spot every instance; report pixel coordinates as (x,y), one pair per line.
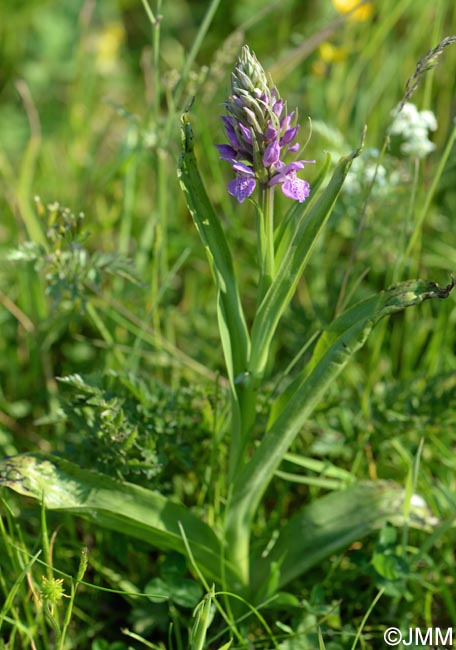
(334,349)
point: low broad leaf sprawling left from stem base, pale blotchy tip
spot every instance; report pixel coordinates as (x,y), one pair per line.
(119,506)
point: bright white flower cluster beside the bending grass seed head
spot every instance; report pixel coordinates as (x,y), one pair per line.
(414,126)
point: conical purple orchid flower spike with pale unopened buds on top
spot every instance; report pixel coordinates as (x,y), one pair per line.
(260,134)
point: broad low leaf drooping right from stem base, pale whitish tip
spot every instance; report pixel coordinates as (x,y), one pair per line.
(331,524)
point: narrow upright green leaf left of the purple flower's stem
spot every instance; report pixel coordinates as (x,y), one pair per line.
(233,329)
